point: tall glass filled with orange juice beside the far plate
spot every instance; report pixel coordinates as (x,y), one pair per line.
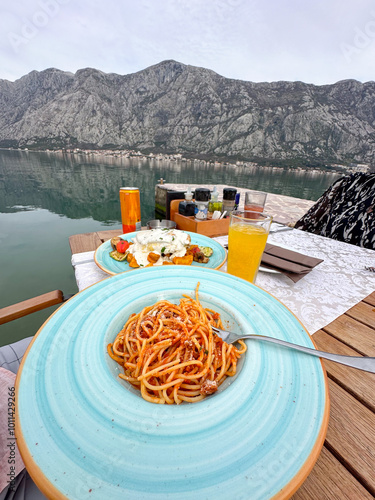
(247,239)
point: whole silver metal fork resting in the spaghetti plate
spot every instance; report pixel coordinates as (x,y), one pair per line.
(364,363)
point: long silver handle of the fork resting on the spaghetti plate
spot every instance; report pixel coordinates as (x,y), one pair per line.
(364,363)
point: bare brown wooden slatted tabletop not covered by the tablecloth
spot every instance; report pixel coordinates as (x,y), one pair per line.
(346,466)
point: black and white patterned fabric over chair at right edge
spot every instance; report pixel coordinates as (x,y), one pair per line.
(345,211)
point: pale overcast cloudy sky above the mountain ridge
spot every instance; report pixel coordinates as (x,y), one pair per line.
(315,41)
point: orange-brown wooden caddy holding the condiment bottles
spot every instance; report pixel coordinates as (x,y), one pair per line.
(211,228)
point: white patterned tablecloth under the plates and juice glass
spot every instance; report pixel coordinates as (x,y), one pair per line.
(329,290)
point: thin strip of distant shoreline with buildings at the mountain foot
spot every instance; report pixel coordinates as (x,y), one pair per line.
(178,157)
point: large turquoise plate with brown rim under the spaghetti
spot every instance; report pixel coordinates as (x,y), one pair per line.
(86,434)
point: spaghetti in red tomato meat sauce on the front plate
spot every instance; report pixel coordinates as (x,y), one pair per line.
(170,353)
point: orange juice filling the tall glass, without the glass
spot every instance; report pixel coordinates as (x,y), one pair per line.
(246,244)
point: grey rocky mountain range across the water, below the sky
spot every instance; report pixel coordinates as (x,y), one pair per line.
(180,108)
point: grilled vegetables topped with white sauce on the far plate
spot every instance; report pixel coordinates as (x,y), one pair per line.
(156,247)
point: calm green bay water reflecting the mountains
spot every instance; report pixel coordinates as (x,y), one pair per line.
(46,197)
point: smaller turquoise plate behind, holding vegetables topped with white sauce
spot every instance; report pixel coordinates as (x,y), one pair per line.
(111,266)
